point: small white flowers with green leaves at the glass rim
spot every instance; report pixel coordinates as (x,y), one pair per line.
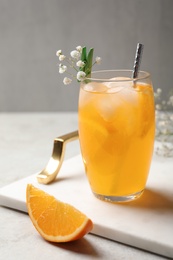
(80,61)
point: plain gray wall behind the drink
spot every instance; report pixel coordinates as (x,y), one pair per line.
(32,30)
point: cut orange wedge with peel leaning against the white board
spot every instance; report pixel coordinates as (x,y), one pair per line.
(54,220)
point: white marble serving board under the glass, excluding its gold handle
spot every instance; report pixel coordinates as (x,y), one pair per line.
(146,223)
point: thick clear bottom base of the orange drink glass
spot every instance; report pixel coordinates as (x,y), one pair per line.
(119,199)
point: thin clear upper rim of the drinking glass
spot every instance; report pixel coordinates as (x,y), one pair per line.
(145,76)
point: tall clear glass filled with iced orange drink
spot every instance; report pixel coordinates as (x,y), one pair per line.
(116,131)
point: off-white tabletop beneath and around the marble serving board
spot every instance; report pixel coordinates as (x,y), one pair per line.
(26,142)
